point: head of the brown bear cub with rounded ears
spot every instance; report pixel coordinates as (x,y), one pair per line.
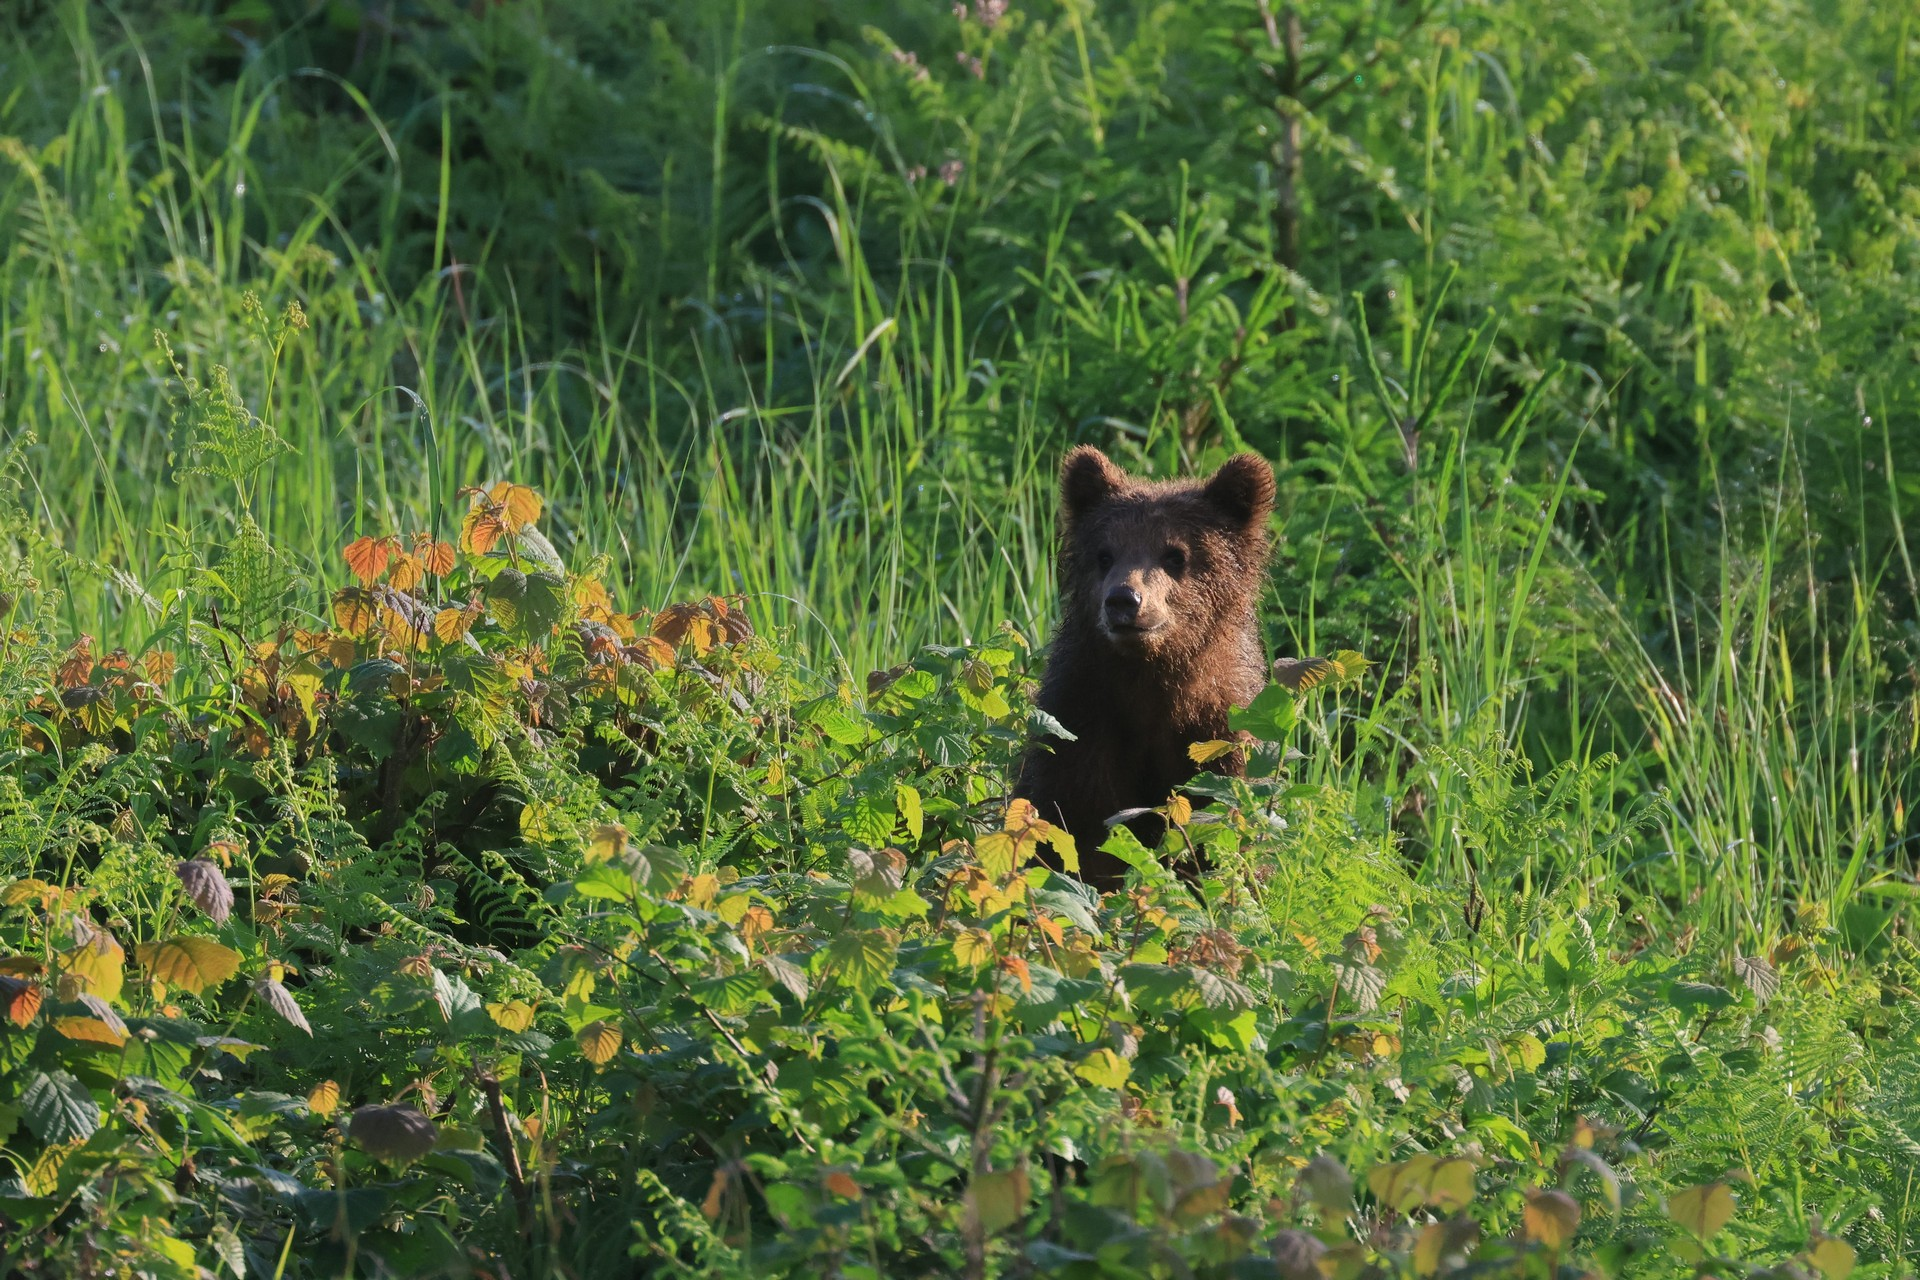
(1159,569)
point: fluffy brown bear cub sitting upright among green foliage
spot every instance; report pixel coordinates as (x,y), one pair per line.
(1157,642)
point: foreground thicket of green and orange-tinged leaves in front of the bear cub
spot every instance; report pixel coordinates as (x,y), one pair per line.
(492,930)
